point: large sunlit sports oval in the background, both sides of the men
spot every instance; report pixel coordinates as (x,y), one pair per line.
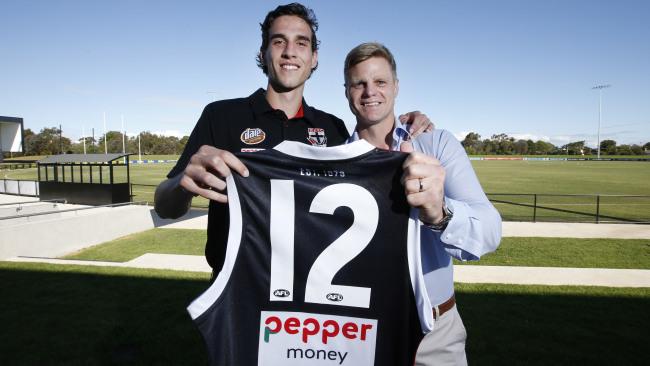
(547,178)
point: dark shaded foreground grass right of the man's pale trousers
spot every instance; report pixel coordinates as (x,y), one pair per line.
(548,325)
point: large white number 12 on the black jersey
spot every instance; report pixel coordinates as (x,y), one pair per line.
(319,288)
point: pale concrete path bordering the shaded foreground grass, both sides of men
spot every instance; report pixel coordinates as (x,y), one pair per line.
(462,273)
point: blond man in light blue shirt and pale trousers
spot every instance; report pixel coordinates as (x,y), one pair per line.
(458,219)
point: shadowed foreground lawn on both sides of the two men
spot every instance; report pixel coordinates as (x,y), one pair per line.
(81,316)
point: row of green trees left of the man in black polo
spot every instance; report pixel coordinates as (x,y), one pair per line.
(50,142)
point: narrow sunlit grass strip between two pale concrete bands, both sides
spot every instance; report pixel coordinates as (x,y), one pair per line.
(536,252)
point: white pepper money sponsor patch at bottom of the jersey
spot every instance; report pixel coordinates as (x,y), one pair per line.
(293,338)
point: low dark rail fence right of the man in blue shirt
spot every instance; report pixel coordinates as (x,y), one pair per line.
(572,207)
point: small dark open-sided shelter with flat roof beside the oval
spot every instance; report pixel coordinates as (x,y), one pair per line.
(89,179)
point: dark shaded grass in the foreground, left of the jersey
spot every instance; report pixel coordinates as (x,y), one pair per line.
(72,318)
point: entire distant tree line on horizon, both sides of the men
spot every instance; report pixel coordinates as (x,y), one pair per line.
(50,142)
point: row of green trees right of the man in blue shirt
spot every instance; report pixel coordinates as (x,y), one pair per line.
(502,144)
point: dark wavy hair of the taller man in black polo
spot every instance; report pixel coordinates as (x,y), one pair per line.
(295,9)
